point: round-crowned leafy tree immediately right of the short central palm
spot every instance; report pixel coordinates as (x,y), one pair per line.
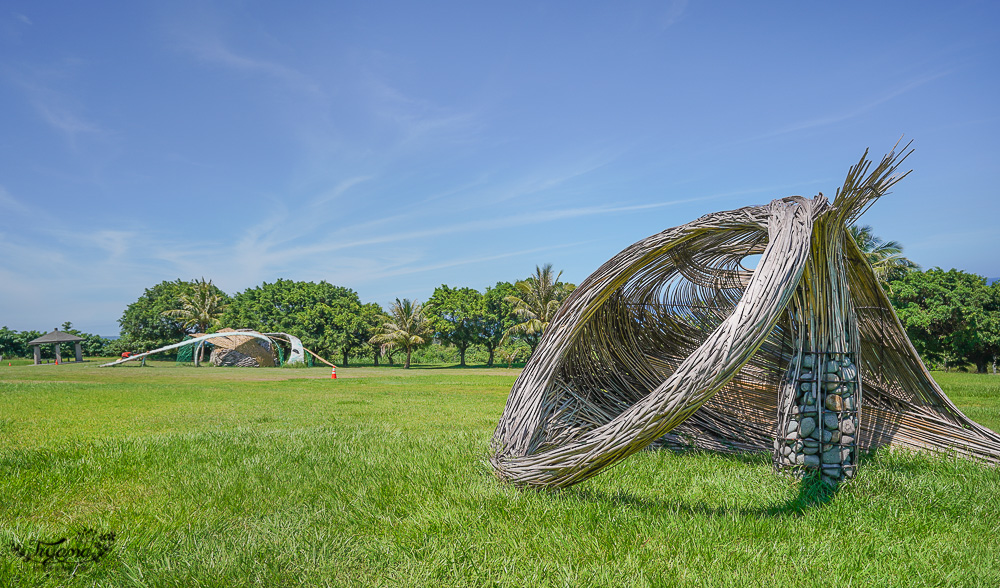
(454,315)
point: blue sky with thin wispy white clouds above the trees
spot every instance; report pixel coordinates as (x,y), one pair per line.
(391,147)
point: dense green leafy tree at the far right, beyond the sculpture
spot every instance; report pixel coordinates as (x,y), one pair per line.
(950,316)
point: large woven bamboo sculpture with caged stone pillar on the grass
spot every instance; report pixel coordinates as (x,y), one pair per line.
(673,341)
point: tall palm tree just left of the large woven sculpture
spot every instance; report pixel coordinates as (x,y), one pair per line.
(541,295)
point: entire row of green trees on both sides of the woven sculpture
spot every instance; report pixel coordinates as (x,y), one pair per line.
(952,317)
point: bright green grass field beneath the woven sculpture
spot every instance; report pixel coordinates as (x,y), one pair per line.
(278,477)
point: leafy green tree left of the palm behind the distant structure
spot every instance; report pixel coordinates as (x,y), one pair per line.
(144,326)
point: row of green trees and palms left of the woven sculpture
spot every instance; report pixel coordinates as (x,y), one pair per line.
(506,320)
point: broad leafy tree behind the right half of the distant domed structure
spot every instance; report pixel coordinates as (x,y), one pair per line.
(322,315)
